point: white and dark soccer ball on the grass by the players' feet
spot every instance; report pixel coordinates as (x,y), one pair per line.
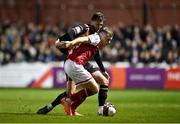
(109,109)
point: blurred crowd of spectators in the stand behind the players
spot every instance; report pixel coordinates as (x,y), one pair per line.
(21,42)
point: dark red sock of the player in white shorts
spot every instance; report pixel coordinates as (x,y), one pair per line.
(78,98)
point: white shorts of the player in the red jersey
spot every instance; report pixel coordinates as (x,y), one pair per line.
(76,72)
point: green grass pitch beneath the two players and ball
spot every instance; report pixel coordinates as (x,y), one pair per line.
(20,105)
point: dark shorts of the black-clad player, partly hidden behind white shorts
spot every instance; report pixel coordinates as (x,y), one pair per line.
(89,67)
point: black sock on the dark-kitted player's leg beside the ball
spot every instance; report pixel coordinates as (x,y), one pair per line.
(102,96)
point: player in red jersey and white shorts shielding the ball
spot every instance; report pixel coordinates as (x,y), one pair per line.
(82,50)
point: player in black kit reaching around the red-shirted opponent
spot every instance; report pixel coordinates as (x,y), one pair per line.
(97,21)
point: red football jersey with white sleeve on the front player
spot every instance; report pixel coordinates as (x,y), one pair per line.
(84,52)
